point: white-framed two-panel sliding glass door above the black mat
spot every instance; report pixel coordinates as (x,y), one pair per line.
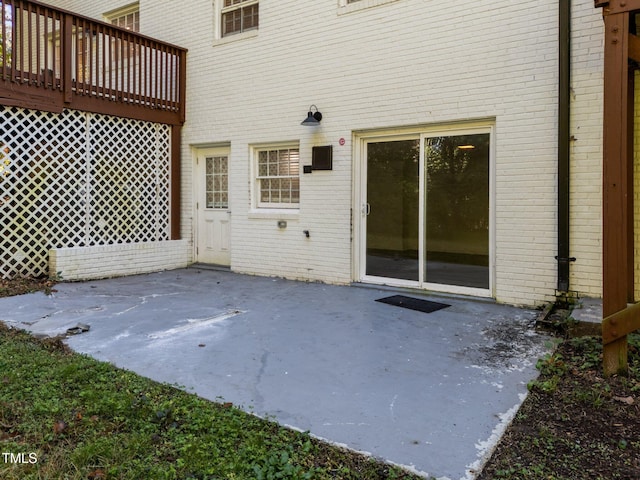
(427,210)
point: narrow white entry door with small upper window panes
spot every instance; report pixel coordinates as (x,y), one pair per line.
(212,206)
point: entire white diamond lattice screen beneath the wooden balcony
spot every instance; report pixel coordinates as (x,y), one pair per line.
(78,179)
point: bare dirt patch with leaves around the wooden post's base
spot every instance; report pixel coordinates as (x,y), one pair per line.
(575,424)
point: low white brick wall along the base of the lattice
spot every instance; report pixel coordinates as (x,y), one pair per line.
(104,261)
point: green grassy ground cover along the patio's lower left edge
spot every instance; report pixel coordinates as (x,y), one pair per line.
(83,419)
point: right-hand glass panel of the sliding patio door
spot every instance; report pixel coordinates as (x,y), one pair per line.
(457,210)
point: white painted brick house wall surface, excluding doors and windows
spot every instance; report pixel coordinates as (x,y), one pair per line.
(399,64)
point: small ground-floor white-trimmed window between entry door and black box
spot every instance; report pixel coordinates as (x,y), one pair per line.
(277,176)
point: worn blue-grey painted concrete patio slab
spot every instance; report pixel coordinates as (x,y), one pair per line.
(429,391)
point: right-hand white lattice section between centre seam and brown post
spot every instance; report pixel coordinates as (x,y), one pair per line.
(129,181)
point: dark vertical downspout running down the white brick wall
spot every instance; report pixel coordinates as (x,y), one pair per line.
(564,86)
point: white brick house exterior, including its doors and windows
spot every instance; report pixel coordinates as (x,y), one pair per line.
(385,74)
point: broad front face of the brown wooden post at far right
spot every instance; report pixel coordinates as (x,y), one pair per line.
(615,183)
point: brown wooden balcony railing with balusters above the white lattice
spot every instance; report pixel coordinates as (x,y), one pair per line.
(51,59)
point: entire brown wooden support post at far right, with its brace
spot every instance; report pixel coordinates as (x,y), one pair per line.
(617,214)
